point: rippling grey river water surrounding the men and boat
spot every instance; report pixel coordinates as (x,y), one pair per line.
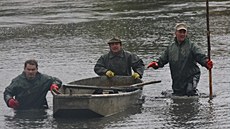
(67,38)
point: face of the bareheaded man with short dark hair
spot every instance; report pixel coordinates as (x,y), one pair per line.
(30,71)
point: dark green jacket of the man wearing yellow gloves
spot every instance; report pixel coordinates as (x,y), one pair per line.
(121,64)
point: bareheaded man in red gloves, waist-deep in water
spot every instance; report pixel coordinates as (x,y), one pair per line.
(28,90)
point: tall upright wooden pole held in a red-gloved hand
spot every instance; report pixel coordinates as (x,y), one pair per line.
(209,49)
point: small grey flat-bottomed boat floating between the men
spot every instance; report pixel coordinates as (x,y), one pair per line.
(83,102)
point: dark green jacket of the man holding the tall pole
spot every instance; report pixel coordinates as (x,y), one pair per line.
(182,59)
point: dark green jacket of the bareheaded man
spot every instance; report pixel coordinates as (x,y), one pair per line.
(31,94)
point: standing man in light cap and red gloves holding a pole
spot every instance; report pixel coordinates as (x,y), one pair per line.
(183,56)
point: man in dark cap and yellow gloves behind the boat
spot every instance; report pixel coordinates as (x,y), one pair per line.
(119,62)
